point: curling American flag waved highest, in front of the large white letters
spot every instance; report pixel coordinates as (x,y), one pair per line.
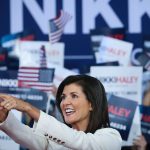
(57,25)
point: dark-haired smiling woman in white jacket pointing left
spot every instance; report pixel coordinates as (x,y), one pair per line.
(82,101)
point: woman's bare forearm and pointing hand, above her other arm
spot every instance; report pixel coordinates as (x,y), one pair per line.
(9,102)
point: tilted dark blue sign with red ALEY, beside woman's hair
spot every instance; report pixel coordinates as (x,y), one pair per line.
(121,113)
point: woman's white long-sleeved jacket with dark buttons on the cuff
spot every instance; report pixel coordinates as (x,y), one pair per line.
(50,134)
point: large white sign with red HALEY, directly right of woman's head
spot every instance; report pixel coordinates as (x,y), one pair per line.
(125,82)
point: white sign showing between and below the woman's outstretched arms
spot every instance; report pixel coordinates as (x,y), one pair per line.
(6,143)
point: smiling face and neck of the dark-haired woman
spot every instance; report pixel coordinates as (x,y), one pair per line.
(75,107)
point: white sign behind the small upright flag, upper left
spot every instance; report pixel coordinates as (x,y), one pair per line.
(29,53)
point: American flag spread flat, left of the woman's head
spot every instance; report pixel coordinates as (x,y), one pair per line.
(37,78)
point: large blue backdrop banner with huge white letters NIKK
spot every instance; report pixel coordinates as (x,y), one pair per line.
(133,15)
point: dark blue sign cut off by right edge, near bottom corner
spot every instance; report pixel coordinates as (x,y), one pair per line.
(145,121)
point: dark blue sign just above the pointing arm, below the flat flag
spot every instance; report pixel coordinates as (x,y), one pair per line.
(35,97)
